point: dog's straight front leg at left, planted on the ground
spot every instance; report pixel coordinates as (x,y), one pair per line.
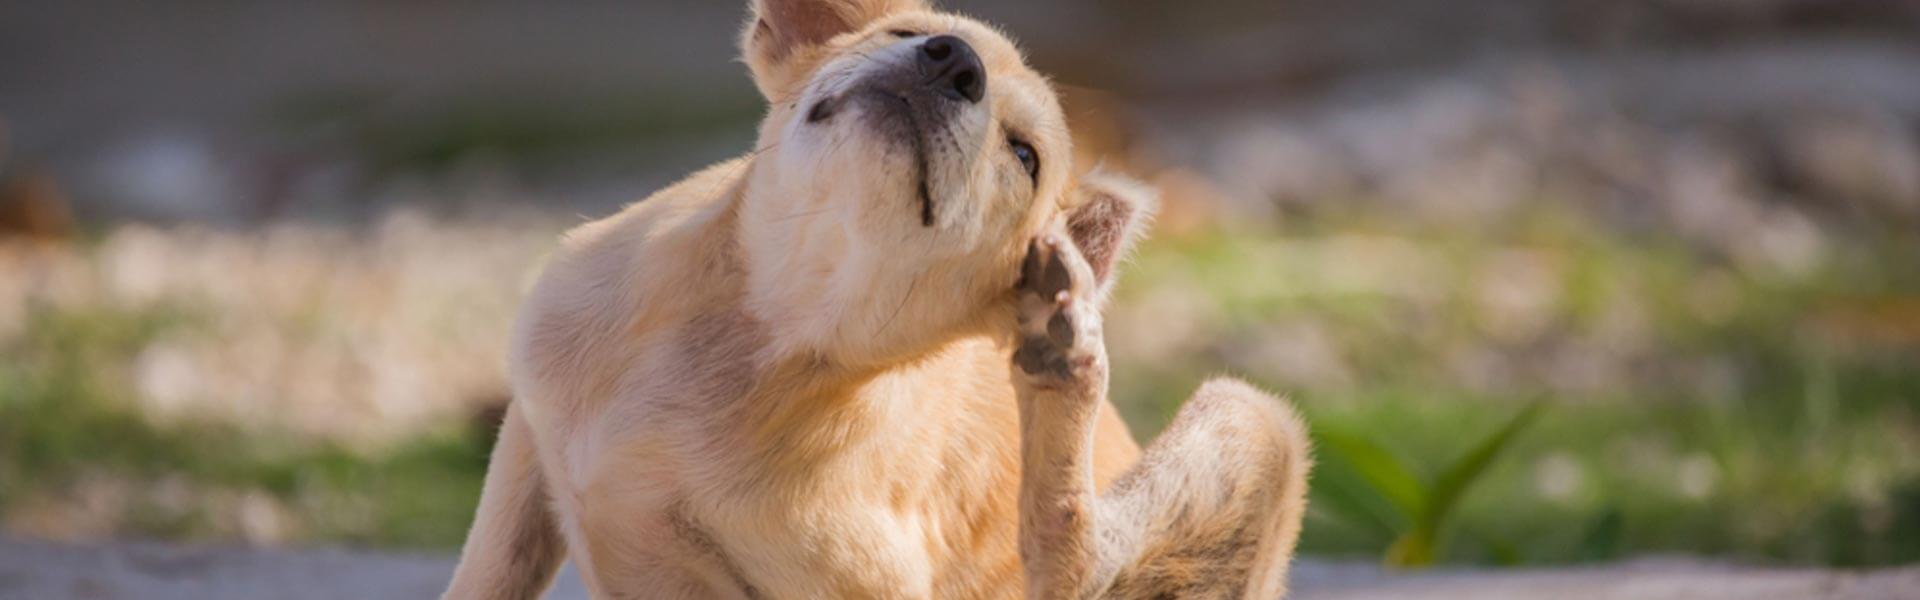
(516,545)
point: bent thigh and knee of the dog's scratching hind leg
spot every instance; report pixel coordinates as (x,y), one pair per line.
(1214,507)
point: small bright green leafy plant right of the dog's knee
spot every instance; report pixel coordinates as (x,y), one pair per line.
(1381,489)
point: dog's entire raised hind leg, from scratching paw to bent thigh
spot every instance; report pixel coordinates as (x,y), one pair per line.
(1212,509)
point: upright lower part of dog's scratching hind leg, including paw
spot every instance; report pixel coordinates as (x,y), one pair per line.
(1061,376)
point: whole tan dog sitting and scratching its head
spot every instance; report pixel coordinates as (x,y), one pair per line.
(794,376)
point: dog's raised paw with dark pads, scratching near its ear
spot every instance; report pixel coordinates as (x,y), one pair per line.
(1059,322)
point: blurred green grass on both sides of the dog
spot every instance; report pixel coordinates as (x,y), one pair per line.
(1694,403)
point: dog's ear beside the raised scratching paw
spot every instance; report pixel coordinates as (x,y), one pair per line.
(1107,214)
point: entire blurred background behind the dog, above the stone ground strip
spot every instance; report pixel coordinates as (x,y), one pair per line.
(1556,282)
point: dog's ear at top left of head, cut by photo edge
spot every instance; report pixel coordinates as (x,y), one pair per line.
(782,37)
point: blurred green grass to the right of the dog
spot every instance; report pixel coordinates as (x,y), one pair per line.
(1694,405)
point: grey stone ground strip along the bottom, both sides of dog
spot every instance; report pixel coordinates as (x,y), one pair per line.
(34,570)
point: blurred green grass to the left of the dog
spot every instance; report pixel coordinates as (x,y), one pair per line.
(66,422)
